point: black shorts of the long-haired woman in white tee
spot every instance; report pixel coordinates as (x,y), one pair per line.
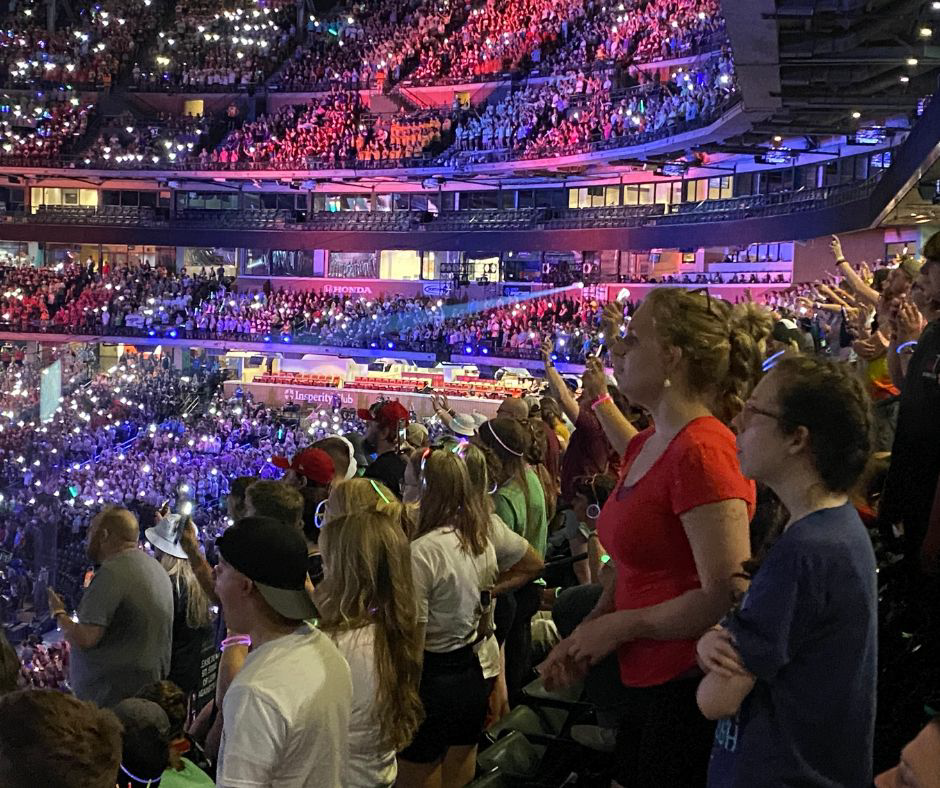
(454,694)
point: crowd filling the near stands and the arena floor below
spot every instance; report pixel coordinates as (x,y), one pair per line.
(721,541)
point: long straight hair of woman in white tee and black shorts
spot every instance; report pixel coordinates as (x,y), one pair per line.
(448,501)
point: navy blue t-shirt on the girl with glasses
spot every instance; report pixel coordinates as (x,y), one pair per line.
(807,629)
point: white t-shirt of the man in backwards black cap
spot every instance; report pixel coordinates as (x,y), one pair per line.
(286,716)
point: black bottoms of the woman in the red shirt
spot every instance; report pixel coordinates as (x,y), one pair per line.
(663,740)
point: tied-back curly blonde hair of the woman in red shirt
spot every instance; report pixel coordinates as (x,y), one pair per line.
(722,345)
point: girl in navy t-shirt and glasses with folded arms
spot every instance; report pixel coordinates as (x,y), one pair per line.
(790,674)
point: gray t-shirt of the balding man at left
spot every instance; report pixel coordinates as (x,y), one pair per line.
(131,596)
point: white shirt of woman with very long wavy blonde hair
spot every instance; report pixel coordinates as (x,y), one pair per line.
(368,766)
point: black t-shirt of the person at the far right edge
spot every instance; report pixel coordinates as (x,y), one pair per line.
(915,456)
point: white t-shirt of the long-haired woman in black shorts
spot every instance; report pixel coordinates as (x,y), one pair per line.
(448,581)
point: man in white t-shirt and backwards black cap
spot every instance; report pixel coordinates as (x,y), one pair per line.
(286,713)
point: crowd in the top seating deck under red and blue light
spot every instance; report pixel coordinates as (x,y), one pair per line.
(597,92)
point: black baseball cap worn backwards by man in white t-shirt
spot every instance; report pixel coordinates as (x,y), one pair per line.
(274,557)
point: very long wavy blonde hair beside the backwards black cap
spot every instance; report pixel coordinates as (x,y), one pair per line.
(367,581)
